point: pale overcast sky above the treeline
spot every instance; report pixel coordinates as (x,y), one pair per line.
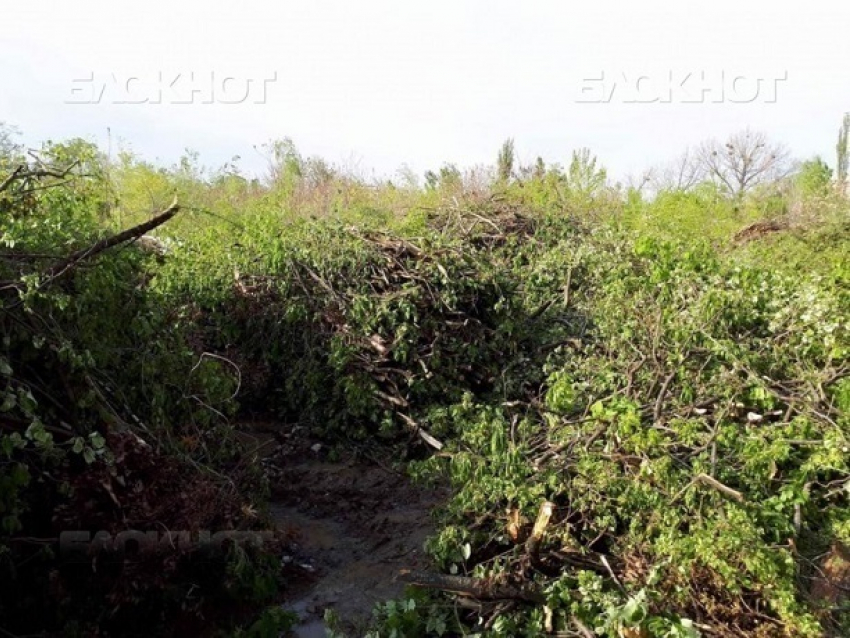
(375,85)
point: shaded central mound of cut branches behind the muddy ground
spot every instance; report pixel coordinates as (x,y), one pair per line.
(412,322)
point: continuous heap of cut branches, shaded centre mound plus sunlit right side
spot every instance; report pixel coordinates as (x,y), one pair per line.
(679,418)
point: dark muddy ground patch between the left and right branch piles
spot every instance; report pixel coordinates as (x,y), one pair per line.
(354,521)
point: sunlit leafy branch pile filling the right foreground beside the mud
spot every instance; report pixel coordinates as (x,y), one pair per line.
(695,407)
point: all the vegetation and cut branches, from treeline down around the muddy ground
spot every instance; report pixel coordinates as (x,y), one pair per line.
(641,402)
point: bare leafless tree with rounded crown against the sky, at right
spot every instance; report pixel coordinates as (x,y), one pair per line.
(746,160)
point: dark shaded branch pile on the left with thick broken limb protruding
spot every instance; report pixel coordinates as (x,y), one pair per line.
(81,450)
